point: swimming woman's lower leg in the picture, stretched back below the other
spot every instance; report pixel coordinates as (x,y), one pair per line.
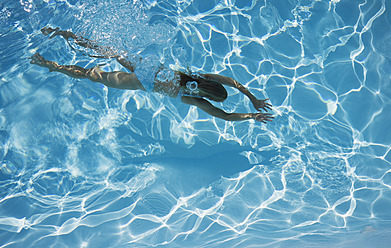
(116,79)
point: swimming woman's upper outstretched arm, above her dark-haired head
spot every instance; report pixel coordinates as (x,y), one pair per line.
(258,104)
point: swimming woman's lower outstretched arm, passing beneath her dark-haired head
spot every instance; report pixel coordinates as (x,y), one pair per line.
(219,113)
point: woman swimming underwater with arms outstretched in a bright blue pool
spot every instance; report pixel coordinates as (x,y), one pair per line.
(192,89)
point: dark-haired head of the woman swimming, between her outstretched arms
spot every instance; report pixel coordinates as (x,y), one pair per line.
(198,85)
